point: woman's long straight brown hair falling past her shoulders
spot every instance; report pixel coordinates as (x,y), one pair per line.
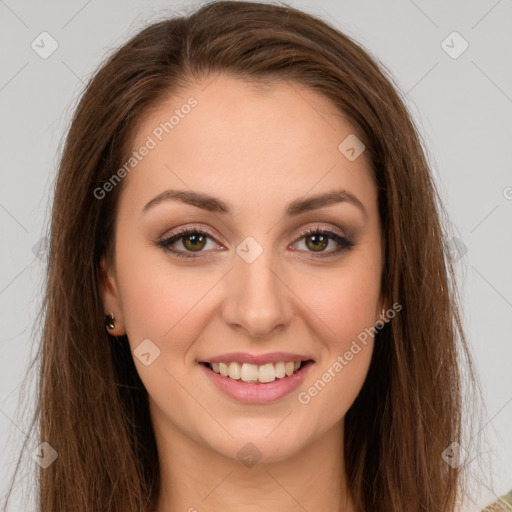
(92,407)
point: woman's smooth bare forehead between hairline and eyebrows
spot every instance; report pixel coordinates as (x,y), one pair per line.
(259,141)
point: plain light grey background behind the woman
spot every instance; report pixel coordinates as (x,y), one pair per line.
(463,107)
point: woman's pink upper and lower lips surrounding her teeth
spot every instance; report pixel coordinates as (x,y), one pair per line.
(255,392)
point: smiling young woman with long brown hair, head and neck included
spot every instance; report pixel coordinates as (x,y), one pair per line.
(249,302)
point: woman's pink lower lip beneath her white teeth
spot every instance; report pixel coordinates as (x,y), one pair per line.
(257,393)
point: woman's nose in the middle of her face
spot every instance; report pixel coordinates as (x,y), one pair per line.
(257,301)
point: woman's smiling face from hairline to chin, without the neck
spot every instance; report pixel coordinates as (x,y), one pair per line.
(252,167)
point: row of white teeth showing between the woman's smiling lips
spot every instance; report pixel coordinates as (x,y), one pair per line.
(258,374)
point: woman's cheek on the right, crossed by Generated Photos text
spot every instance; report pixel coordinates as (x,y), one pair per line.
(341,307)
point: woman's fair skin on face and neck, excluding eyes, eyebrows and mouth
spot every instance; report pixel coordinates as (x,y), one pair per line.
(257,151)
